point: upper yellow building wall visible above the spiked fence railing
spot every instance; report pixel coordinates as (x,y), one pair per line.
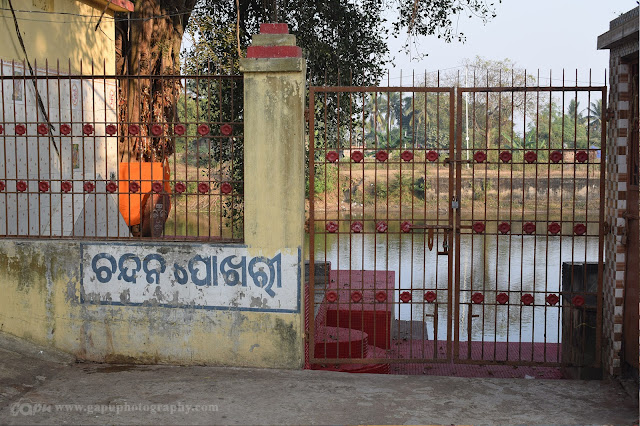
(56,37)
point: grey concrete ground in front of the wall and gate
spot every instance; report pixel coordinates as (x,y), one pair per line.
(43,387)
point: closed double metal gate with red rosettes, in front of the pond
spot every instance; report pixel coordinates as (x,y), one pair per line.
(455,225)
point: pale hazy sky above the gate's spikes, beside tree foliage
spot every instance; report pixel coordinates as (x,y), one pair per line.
(535,34)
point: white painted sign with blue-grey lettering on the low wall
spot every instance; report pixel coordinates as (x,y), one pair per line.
(189,275)
